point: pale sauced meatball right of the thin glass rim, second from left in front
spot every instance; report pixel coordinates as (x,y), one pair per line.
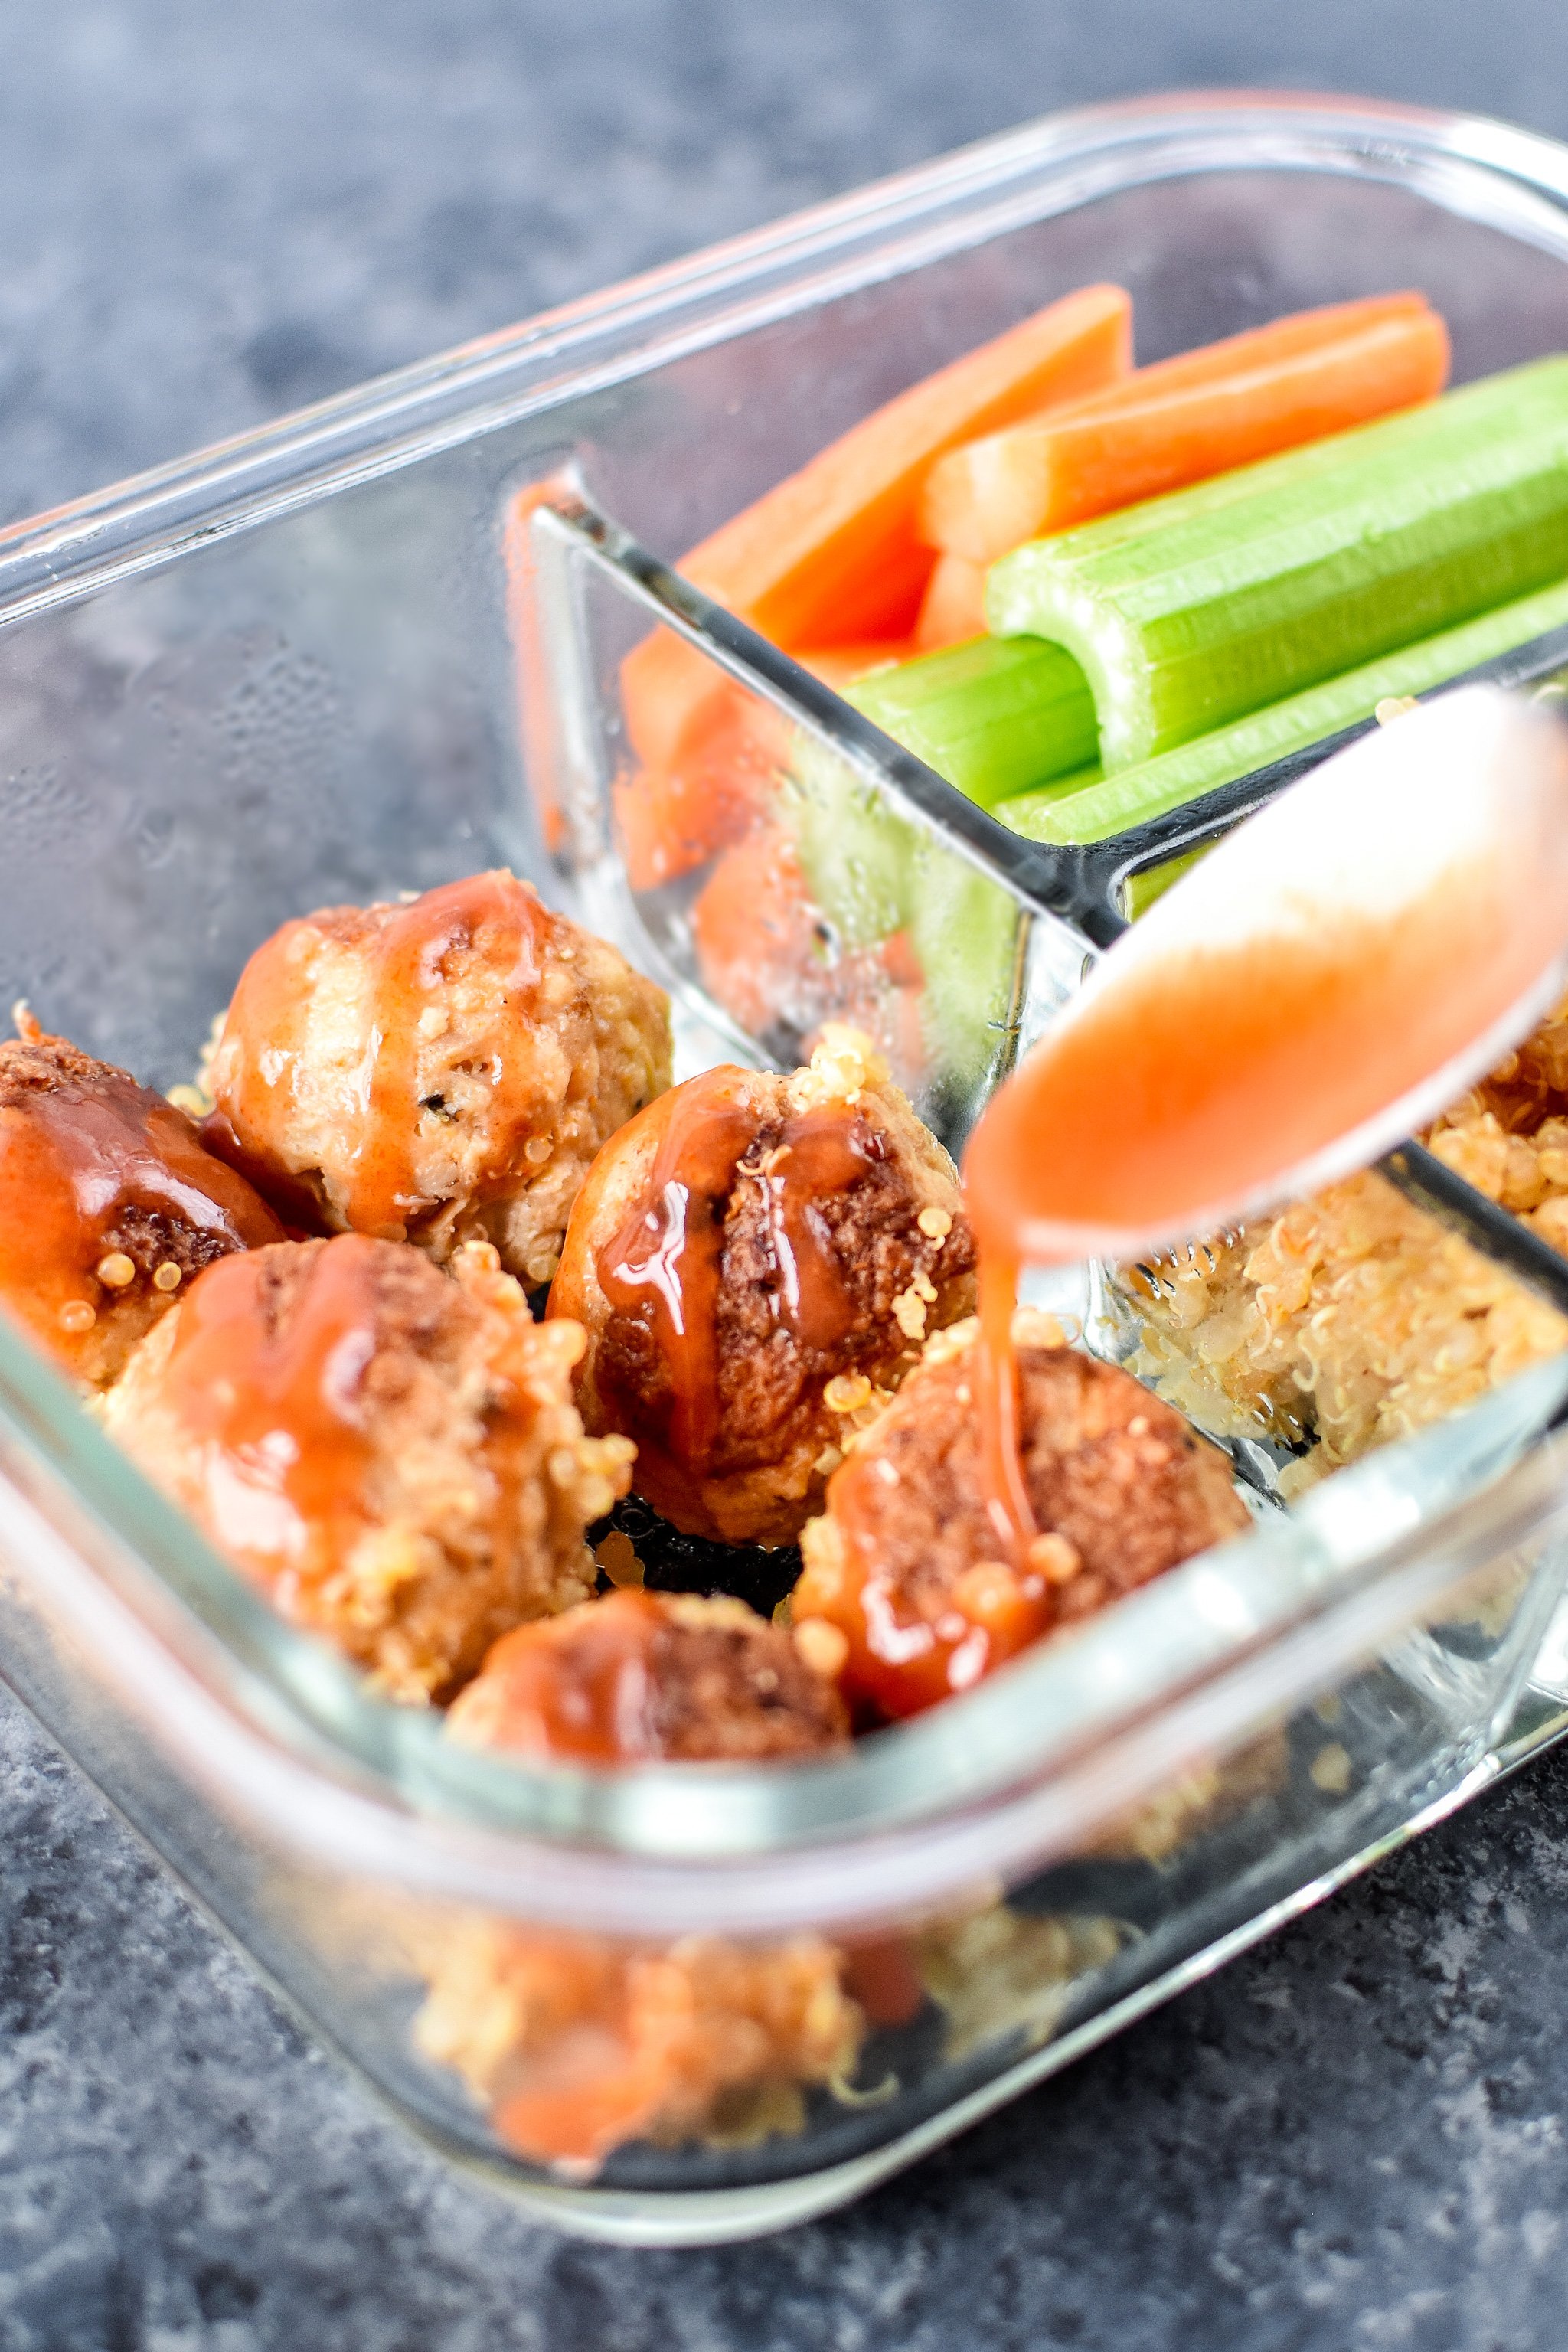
(391,1452)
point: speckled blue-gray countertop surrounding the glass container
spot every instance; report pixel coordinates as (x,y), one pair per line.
(1353,2139)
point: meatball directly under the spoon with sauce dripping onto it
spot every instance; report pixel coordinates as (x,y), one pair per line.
(904,1593)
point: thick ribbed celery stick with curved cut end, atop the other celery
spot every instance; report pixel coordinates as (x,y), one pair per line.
(1200,608)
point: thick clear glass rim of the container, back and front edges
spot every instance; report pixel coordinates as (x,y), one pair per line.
(279,1725)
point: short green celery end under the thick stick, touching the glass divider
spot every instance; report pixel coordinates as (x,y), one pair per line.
(993,716)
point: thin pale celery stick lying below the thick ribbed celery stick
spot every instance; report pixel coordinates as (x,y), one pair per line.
(1097,813)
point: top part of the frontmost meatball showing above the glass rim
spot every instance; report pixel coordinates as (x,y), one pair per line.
(643,1676)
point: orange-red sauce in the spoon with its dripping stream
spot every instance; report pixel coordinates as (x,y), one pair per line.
(1198,1081)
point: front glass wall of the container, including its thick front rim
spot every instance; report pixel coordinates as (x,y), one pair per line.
(704,2076)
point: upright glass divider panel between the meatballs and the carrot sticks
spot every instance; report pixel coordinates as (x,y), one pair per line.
(777,876)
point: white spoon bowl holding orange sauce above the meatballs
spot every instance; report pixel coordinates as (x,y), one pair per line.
(1322,984)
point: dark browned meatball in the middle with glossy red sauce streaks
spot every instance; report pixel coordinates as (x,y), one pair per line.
(756,1259)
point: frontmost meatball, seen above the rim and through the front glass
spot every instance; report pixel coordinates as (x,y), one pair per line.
(584,2043)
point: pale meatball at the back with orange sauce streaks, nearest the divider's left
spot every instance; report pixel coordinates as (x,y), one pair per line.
(438,1071)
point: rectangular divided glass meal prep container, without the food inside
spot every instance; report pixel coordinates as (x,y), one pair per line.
(377,648)
